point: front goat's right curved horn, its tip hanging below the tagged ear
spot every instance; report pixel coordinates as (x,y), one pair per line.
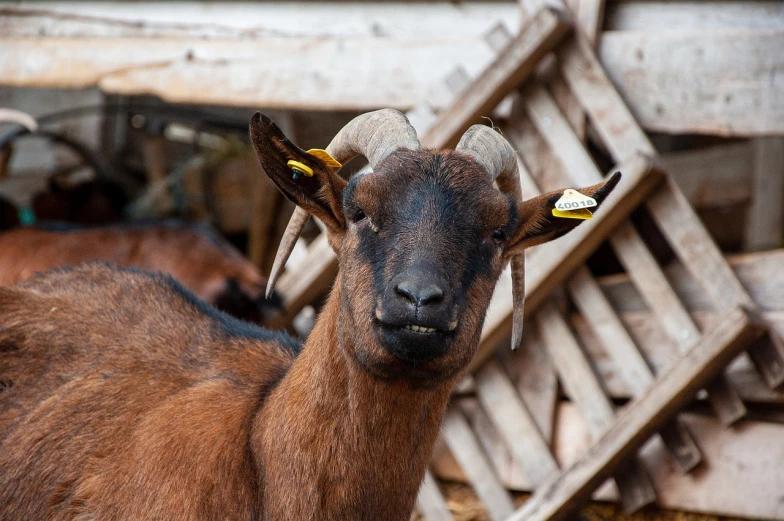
(498,157)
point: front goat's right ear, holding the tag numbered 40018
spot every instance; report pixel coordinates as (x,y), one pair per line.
(537,224)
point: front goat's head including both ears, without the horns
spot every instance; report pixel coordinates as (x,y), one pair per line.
(421,242)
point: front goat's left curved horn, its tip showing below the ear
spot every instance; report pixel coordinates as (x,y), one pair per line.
(374,135)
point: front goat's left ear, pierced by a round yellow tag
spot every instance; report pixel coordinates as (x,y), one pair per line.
(320,193)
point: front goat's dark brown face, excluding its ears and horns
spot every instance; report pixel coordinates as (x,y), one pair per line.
(427,217)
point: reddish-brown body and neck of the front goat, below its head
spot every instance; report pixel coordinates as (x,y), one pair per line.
(126,398)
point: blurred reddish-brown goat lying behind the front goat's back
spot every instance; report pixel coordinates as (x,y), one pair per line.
(193,254)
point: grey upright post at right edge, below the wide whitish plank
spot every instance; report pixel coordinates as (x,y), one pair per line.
(764,228)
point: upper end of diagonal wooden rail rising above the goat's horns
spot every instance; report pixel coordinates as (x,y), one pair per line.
(509,69)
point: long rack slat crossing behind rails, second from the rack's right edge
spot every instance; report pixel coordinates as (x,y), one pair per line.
(627,243)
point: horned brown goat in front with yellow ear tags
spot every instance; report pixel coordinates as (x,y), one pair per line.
(125,398)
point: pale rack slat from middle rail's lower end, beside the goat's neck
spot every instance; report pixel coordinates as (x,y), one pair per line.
(514,423)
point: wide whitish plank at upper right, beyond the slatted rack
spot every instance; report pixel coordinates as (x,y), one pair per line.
(720,99)
